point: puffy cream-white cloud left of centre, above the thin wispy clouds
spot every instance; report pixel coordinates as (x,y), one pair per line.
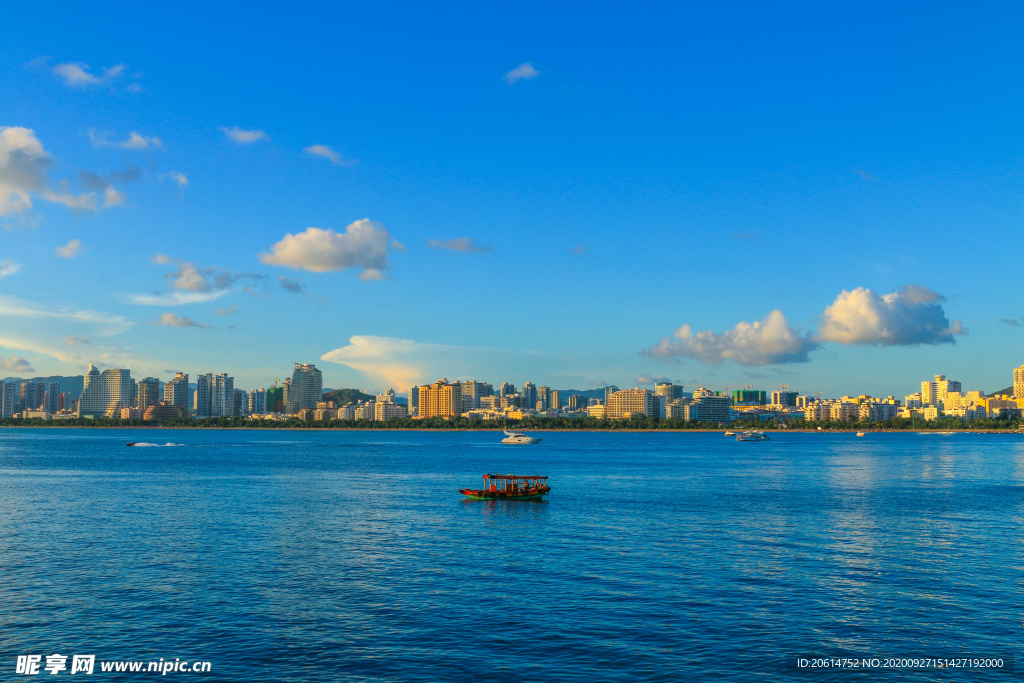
(363,245)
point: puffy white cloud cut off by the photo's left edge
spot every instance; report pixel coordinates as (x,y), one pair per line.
(24,164)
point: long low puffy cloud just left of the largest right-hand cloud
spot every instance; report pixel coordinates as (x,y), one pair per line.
(760,344)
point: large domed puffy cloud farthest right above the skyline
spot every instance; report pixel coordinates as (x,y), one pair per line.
(909,317)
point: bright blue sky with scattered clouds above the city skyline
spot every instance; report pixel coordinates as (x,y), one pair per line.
(569,195)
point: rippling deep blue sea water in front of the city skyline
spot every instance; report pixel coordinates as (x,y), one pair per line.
(351,557)
